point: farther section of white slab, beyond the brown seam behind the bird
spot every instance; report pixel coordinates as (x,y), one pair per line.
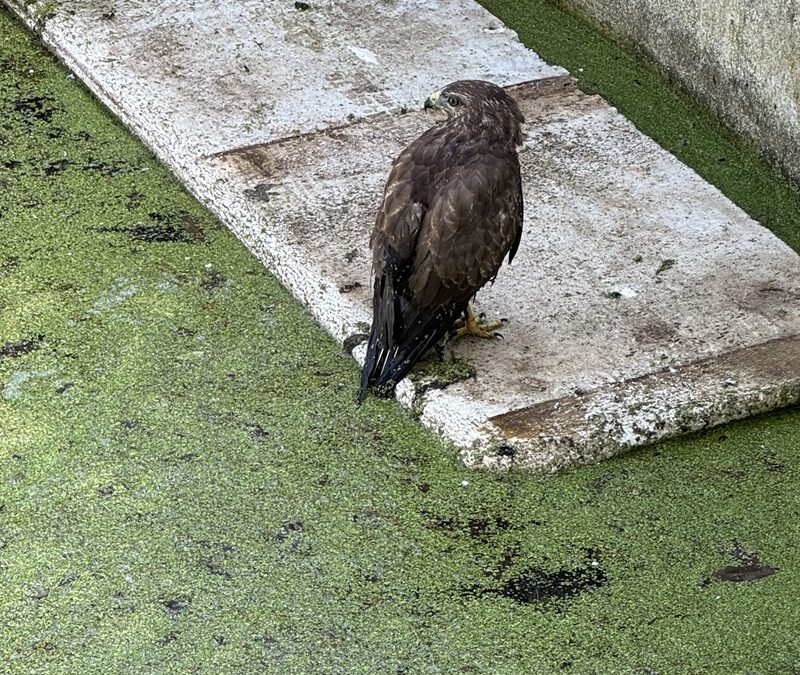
(201,77)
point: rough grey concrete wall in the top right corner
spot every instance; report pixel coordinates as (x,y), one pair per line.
(740,58)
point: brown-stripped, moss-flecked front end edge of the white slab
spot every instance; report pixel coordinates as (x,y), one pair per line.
(622,416)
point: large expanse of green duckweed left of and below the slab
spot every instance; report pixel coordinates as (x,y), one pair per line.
(186,484)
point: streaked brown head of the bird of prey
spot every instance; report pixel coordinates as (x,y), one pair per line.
(480,103)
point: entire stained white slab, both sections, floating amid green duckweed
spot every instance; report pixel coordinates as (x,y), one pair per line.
(642,303)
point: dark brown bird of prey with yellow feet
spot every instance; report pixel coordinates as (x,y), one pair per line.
(451,212)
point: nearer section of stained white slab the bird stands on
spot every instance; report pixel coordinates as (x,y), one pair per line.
(632,272)
